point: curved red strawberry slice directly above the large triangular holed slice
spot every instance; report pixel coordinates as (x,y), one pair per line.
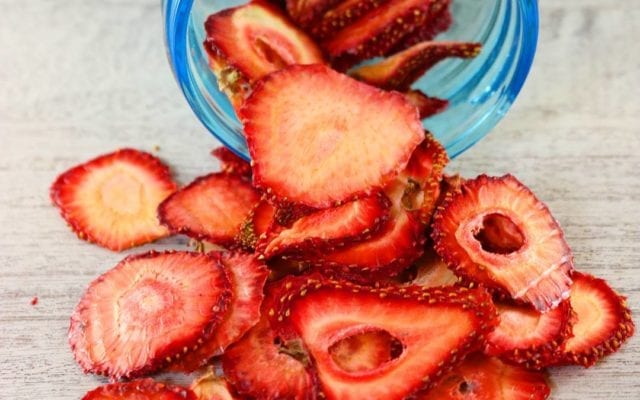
(396,245)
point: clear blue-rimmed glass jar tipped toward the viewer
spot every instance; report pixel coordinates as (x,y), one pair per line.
(480,91)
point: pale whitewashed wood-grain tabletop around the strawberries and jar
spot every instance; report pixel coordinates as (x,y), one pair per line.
(83,77)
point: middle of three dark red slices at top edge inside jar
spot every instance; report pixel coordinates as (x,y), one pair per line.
(343,14)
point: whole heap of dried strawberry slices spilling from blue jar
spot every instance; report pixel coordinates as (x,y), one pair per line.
(343,262)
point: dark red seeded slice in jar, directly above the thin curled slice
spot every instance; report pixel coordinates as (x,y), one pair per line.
(376,32)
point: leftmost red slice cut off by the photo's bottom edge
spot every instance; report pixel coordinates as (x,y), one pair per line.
(140,389)
